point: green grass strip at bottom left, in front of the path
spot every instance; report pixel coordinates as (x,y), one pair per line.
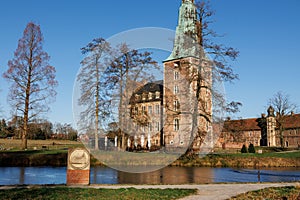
(64,193)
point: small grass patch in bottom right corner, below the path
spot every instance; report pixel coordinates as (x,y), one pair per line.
(271,193)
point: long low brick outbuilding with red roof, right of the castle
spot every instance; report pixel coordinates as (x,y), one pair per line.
(245,131)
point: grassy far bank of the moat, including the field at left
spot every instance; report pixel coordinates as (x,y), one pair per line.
(54,153)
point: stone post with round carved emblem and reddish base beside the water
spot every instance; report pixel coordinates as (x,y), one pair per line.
(78,172)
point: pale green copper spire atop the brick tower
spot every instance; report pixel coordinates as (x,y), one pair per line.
(185,44)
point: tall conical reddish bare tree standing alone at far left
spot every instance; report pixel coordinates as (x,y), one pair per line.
(32,78)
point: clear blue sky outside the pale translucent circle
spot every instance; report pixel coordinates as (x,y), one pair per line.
(265,32)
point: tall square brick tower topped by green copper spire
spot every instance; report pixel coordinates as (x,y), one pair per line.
(187,85)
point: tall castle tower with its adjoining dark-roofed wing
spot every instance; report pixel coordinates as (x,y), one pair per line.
(172,112)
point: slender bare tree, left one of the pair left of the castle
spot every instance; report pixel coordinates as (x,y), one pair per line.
(92,97)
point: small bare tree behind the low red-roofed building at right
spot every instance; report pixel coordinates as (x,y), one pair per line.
(283,107)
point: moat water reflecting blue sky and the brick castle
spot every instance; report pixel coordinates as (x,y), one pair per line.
(168,175)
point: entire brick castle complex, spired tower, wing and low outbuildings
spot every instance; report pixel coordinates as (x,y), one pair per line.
(177,112)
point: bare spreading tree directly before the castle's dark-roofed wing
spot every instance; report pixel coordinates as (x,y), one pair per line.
(129,69)
